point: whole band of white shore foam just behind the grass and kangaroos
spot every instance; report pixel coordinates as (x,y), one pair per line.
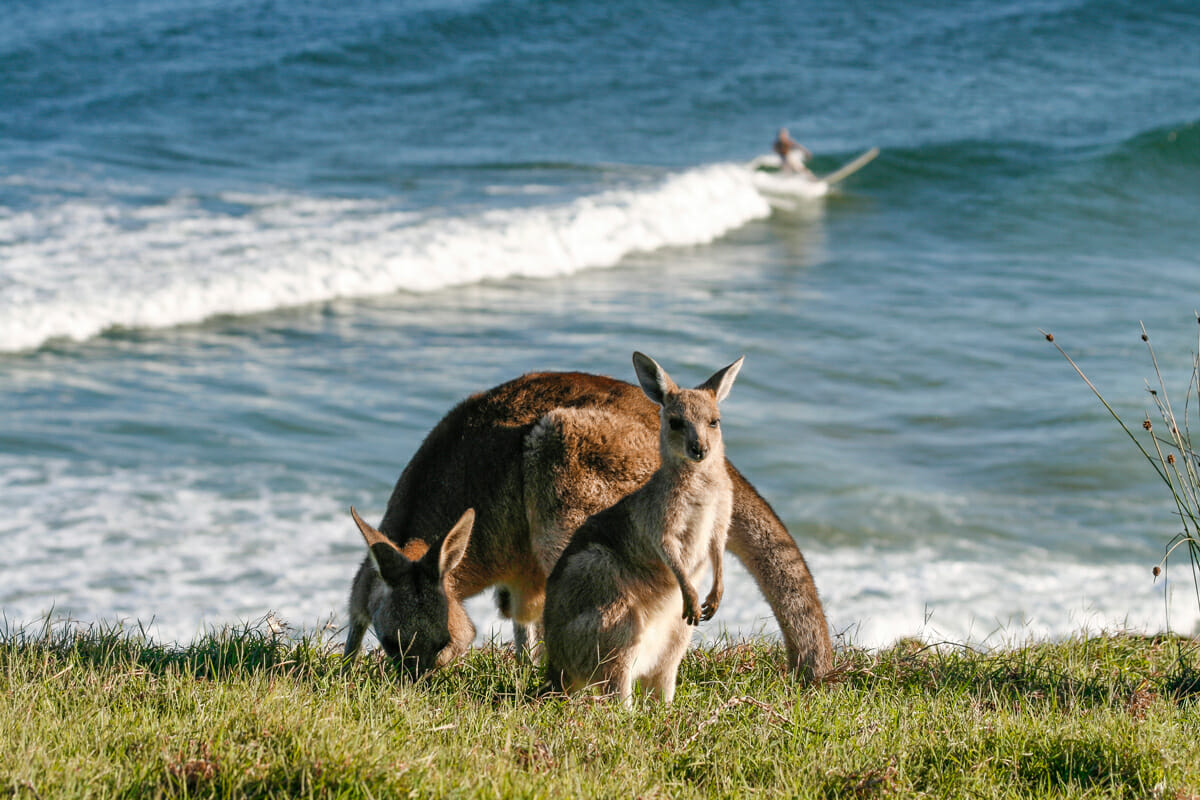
(164,549)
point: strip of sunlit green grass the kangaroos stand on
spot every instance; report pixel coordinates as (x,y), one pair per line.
(109,714)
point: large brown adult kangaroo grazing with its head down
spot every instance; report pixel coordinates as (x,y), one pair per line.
(530,500)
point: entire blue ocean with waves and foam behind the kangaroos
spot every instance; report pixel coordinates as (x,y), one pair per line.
(251,252)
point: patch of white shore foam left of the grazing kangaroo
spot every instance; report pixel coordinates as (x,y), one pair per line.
(101,545)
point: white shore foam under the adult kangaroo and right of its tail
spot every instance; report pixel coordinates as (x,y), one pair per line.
(875,599)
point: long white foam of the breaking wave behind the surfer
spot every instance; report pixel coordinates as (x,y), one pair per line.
(83,267)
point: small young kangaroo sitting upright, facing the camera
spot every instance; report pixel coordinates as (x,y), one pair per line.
(621,600)
